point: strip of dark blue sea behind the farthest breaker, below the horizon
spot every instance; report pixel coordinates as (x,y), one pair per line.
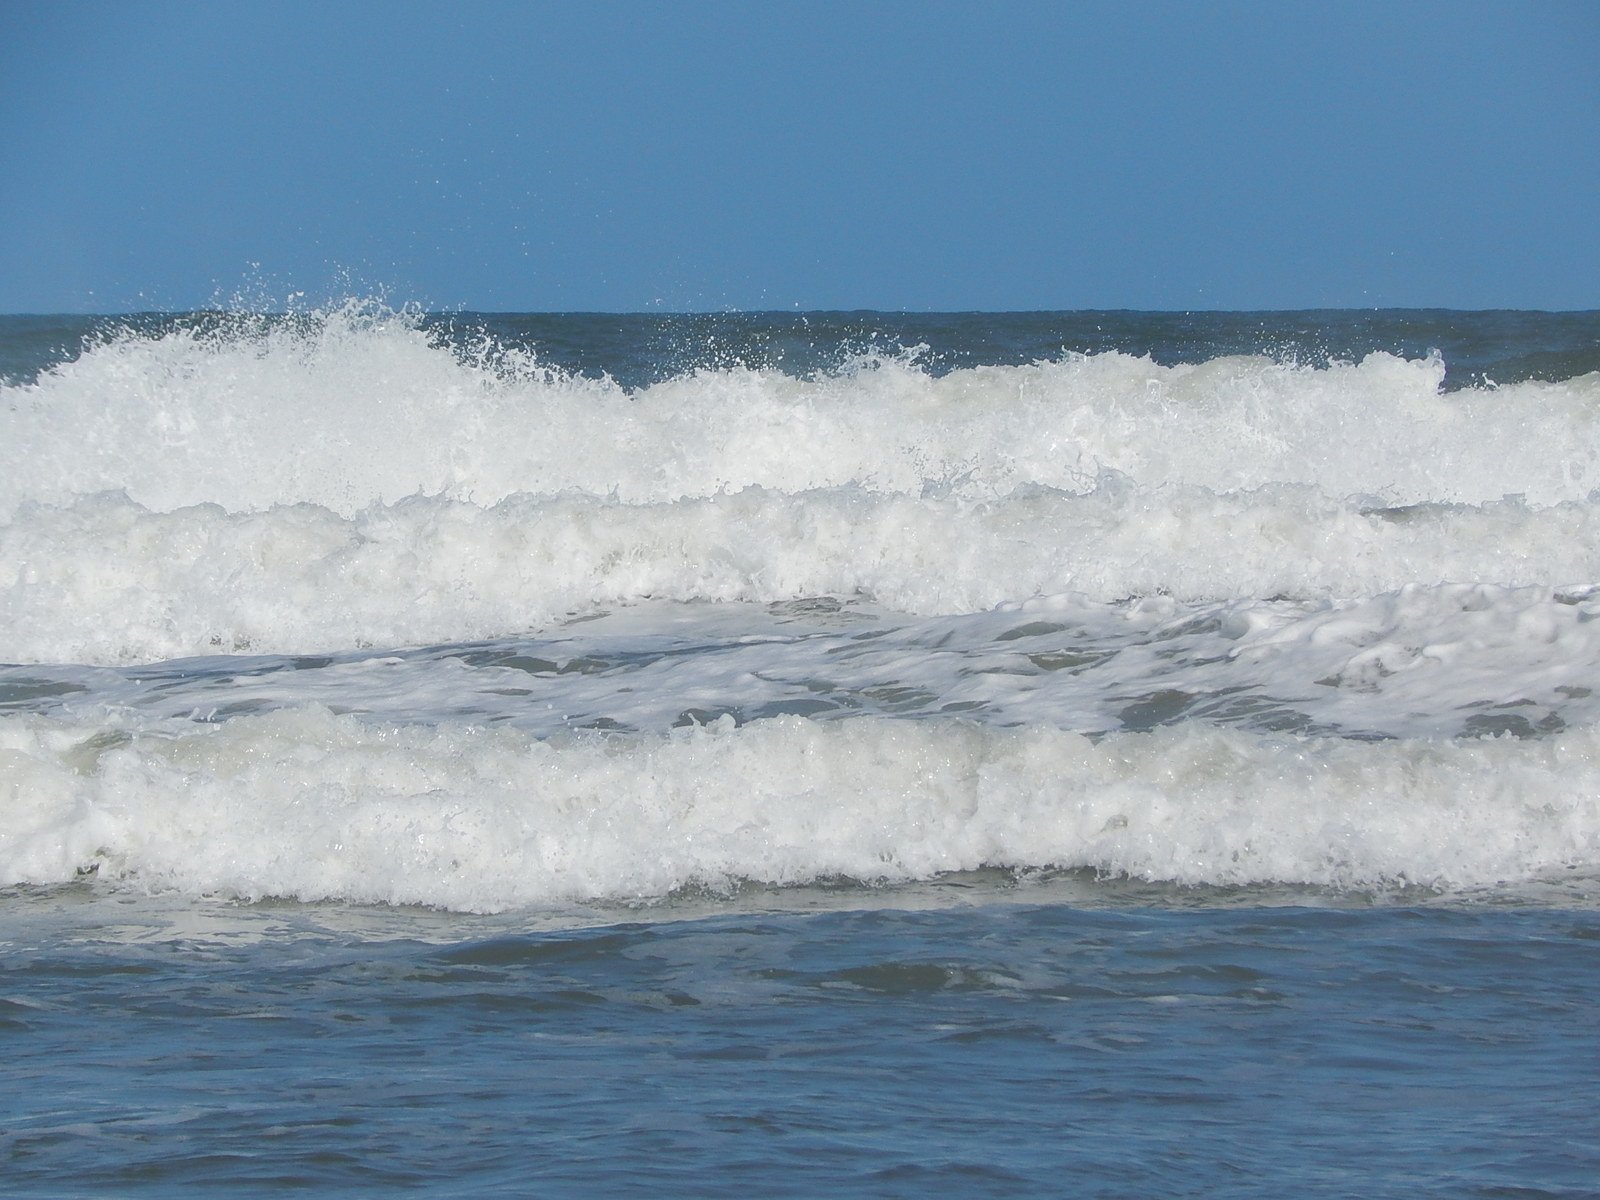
(638,350)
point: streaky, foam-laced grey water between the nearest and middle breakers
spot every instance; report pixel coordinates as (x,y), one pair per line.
(1420,663)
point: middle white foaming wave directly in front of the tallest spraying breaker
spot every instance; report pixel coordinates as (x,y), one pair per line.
(108,582)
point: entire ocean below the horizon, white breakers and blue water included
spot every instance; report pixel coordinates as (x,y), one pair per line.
(1092,754)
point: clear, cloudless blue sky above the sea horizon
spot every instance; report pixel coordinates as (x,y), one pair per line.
(815,154)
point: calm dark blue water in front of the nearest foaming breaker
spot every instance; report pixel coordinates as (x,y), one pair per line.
(993,1050)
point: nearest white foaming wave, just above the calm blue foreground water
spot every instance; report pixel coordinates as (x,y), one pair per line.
(311,806)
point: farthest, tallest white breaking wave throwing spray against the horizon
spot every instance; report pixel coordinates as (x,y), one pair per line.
(361,407)
